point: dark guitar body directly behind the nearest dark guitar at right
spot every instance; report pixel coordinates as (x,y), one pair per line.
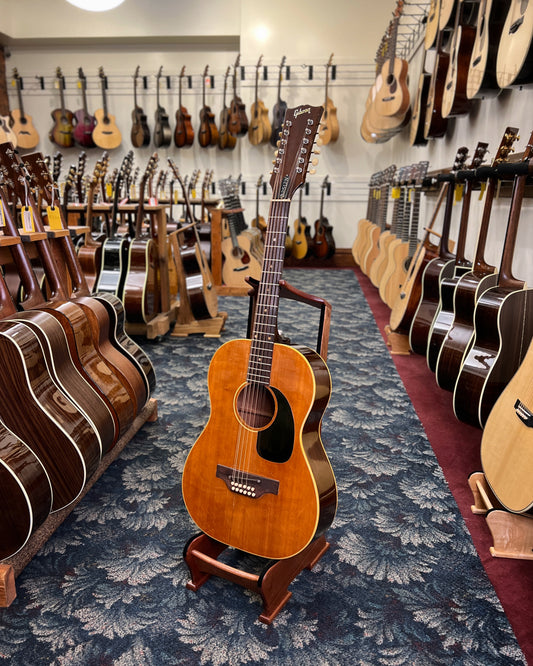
(461,333)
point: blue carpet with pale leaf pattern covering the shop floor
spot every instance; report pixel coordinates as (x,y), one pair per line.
(401,583)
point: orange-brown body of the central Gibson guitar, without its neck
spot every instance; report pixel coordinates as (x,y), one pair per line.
(297,499)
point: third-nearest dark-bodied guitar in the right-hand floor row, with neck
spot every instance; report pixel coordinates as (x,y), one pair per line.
(443,318)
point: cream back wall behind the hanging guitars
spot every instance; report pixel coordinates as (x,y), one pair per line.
(174,34)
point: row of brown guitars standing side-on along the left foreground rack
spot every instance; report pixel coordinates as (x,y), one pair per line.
(71,381)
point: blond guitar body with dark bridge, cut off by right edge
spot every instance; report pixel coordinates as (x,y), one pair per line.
(507,440)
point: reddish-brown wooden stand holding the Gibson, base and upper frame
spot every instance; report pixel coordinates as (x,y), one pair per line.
(201,553)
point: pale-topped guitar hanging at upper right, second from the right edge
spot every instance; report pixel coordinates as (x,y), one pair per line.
(482,81)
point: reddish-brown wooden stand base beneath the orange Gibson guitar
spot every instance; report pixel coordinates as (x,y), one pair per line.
(201,554)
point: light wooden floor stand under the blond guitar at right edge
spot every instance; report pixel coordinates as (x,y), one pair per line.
(512,533)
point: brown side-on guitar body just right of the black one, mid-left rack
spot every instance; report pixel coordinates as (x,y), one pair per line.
(141,284)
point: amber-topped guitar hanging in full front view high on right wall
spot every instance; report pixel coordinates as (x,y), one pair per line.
(392,99)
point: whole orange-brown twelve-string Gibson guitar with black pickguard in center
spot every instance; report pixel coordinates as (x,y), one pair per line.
(253,464)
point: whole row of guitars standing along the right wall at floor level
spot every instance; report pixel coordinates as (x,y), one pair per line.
(472,321)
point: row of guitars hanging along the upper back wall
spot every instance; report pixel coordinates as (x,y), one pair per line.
(99,129)
